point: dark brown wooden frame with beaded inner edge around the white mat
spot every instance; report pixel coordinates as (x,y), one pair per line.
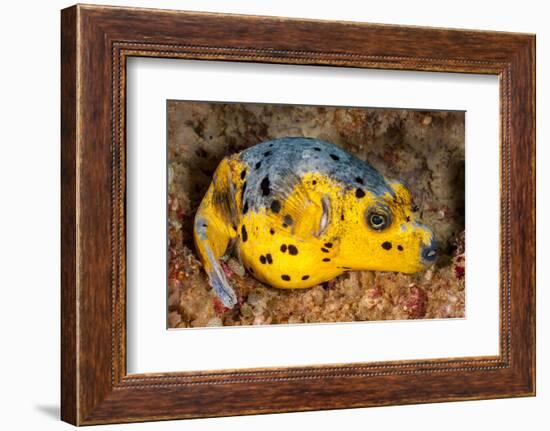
(96,41)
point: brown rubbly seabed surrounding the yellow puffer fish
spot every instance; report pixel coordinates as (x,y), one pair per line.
(426,149)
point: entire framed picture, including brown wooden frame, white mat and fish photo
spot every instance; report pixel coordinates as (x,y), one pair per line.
(322,214)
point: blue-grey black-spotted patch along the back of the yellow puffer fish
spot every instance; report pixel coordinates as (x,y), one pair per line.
(284,162)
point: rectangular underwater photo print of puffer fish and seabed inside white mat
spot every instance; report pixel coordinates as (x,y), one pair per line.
(203,136)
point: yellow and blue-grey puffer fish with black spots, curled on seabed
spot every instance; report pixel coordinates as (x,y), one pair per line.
(298,212)
